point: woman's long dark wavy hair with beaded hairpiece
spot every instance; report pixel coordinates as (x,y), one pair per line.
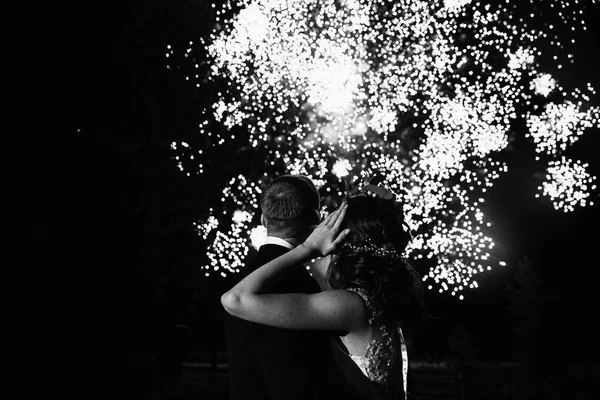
(370,258)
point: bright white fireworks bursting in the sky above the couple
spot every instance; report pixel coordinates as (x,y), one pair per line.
(422,92)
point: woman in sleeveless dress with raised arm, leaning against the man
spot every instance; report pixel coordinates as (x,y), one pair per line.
(368,294)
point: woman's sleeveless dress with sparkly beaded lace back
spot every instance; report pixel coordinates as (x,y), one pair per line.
(385,362)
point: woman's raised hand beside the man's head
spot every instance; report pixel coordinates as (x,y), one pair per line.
(327,236)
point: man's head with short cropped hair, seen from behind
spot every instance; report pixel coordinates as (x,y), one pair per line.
(290,206)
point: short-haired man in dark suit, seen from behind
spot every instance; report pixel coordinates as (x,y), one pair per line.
(273,363)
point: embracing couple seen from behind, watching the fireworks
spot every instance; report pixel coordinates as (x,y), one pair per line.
(338,331)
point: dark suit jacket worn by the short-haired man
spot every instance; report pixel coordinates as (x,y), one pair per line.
(273,363)
